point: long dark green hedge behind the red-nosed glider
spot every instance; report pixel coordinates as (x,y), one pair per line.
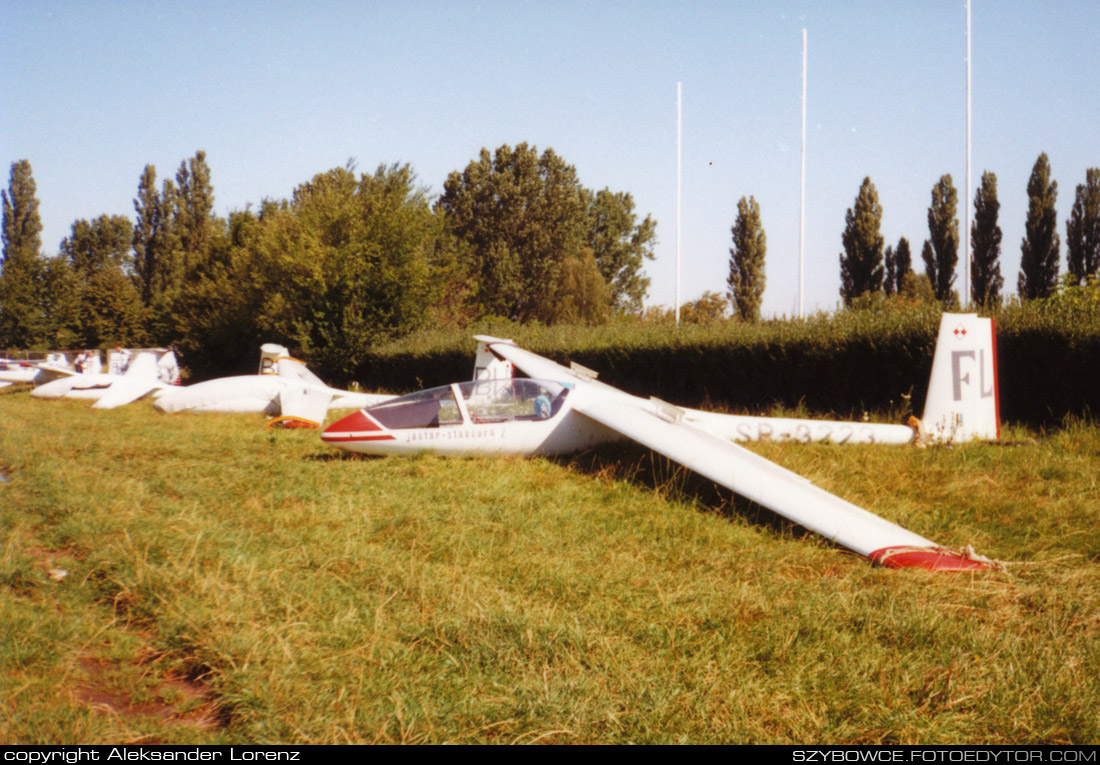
(842,365)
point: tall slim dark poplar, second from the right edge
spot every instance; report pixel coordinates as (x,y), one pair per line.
(1039,259)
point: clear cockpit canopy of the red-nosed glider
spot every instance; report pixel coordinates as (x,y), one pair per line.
(478,402)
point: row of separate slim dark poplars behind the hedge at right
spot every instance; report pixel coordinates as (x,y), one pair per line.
(872,270)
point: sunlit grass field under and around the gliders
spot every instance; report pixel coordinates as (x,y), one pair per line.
(197,580)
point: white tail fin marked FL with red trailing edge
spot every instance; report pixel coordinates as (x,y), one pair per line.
(963,401)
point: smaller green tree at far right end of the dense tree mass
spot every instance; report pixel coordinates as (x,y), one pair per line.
(621,246)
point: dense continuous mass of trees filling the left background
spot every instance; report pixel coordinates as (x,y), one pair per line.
(351,259)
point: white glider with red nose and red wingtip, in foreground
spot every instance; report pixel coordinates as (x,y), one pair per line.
(560,411)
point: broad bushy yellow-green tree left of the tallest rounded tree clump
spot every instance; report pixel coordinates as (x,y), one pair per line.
(347,263)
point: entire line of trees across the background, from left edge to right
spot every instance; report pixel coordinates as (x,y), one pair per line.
(353,259)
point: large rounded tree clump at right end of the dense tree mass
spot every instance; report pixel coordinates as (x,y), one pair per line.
(521,217)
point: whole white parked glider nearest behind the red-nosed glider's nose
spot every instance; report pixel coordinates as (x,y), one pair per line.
(284,389)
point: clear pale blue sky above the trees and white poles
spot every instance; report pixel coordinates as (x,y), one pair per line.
(276,93)
